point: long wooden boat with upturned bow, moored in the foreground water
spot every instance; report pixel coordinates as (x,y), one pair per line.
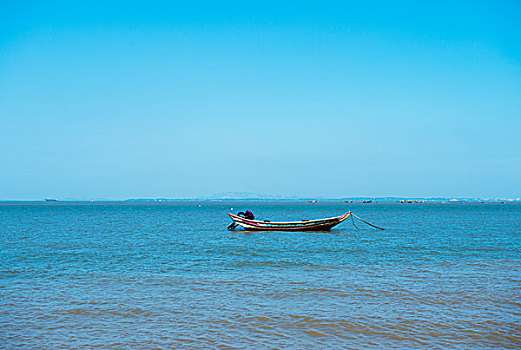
(304,225)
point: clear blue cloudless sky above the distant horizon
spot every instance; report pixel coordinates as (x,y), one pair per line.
(187,99)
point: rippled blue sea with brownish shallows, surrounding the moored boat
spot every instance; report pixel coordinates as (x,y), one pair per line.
(170,275)
